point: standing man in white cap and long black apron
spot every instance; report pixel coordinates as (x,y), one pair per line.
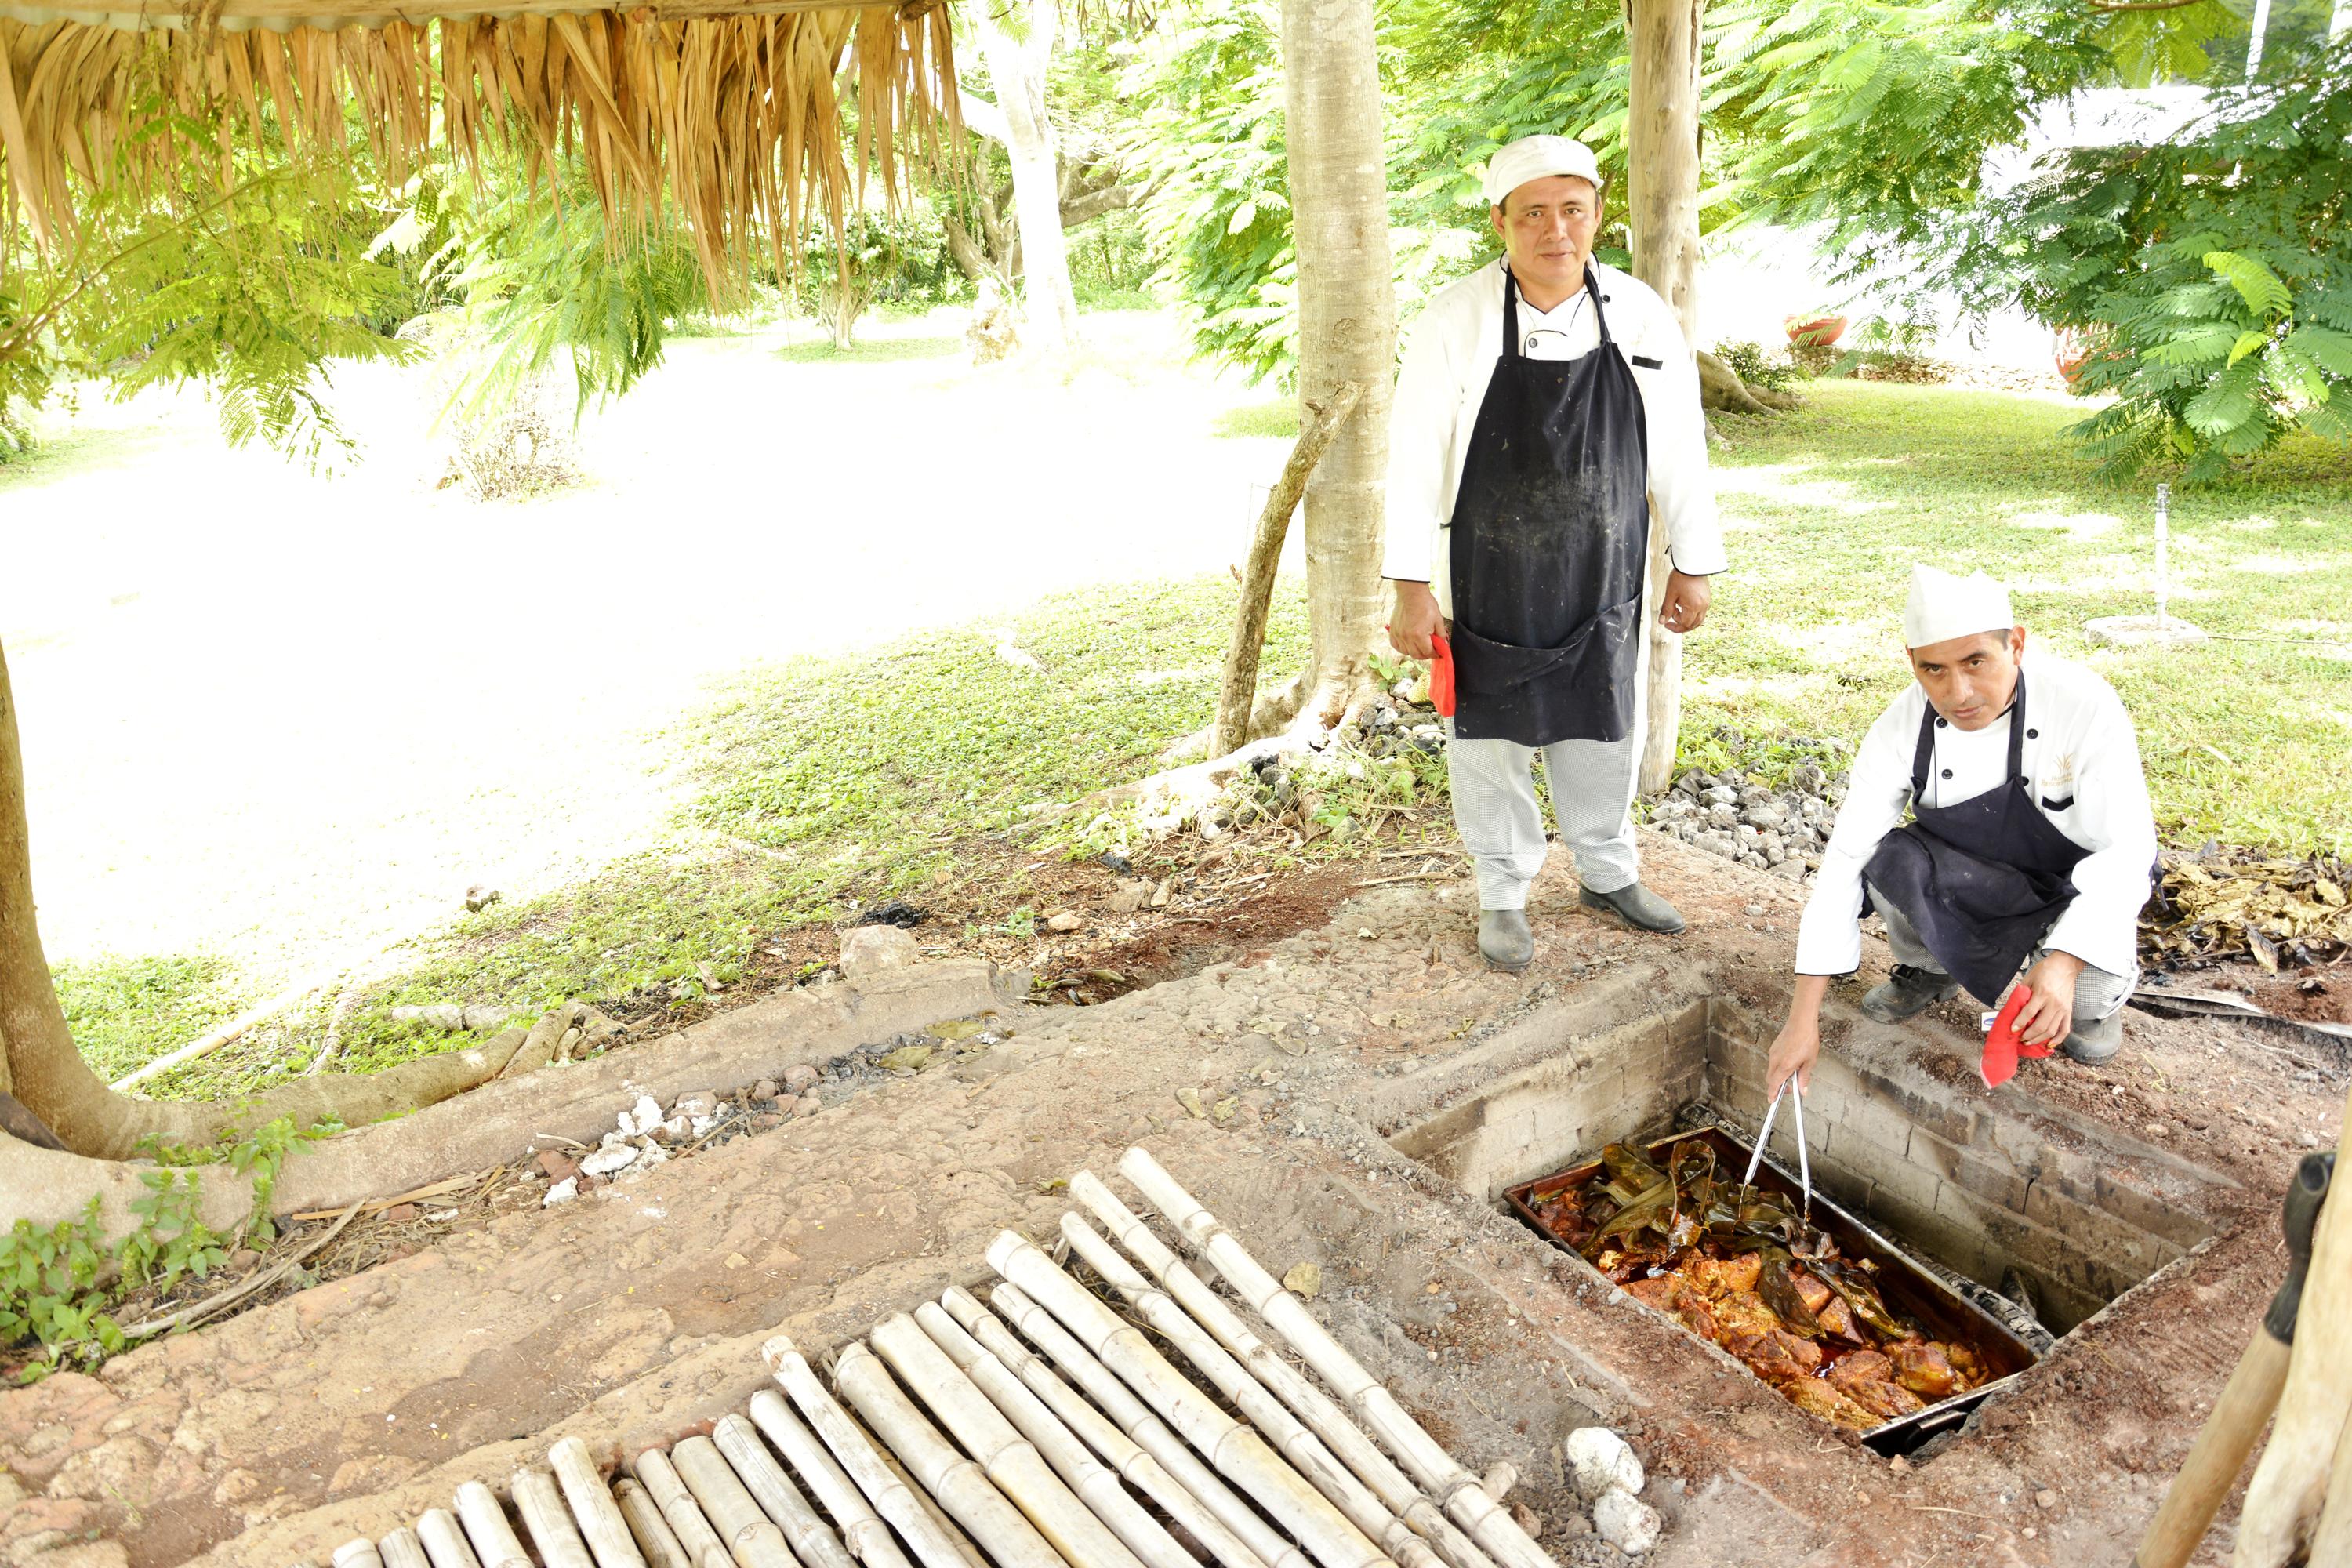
(1544,410)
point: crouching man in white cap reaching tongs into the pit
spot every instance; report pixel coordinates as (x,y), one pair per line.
(2029,840)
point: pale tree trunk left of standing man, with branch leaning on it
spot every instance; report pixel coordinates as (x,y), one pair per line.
(1347,333)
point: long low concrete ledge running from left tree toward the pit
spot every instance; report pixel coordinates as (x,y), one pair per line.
(490,1125)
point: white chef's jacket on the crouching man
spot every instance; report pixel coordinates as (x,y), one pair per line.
(2085,770)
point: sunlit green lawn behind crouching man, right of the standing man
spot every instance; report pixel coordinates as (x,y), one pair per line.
(2247,737)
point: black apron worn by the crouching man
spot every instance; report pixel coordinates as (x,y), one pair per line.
(1982,880)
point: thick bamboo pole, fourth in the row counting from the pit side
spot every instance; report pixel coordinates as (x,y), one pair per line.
(1236,1452)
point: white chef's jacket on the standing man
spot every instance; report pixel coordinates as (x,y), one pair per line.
(1448,361)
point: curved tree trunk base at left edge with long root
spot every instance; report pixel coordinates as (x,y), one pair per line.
(95,1125)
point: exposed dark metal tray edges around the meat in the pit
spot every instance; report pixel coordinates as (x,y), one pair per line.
(1906,1287)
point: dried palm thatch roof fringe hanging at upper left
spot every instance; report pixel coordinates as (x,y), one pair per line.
(730,107)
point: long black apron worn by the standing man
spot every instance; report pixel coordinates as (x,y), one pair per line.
(1551,542)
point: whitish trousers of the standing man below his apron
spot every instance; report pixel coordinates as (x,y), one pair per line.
(1502,824)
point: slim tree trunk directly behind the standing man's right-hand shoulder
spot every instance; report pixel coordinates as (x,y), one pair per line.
(1662,154)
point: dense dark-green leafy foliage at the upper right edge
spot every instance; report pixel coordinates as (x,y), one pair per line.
(2212,276)
